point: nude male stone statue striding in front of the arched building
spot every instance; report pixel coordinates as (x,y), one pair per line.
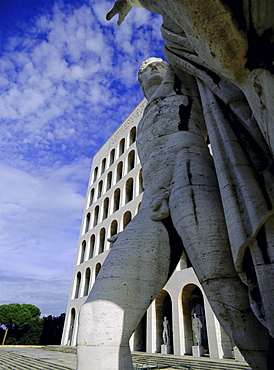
(180,160)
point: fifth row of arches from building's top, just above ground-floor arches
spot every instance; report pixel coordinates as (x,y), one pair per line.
(83,285)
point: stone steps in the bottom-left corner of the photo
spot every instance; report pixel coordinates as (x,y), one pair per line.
(13,361)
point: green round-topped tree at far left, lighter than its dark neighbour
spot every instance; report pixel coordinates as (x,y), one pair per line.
(18,318)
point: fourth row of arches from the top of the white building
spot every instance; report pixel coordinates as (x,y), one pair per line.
(98,244)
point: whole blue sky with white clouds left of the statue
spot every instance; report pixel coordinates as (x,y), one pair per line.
(68,78)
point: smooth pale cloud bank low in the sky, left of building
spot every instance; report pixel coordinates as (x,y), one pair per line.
(40,220)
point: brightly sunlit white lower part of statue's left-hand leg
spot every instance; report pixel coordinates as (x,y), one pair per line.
(101,343)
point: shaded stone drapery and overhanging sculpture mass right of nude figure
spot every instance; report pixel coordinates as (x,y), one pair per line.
(228,49)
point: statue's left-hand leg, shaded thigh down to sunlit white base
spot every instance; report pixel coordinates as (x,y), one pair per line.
(132,275)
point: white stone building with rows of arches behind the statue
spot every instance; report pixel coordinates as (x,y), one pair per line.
(113,198)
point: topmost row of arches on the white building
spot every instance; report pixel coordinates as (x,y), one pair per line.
(113,154)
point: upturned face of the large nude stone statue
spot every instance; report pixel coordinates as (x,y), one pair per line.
(153,75)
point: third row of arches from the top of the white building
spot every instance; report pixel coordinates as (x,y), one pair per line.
(110,205)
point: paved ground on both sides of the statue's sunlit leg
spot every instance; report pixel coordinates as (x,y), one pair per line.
(64,358)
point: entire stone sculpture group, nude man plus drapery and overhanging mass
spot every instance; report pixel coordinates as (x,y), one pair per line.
(219,209)
